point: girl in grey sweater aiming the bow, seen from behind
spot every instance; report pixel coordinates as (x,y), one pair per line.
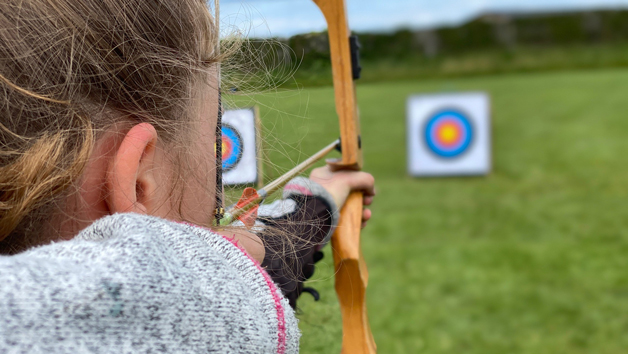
(108,110)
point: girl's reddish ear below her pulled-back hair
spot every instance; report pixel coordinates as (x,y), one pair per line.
(130,175)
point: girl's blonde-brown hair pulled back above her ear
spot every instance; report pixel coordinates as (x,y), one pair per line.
(71,68)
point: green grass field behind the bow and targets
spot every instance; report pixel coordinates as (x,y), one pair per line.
(530,259)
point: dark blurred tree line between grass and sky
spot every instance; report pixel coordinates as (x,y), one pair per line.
(503,31)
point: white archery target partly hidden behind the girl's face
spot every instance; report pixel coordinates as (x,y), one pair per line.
(240,150)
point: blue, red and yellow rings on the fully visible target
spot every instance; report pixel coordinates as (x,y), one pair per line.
(448,133)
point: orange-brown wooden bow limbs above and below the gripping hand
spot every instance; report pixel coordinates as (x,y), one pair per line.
(351,273)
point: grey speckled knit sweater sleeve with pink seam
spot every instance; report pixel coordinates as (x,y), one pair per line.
(131,283)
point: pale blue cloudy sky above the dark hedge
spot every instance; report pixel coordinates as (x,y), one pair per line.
(284,18)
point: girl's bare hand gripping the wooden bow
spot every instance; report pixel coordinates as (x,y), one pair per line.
(341,183)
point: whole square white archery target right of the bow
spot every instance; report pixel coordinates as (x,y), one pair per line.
(448,134)
